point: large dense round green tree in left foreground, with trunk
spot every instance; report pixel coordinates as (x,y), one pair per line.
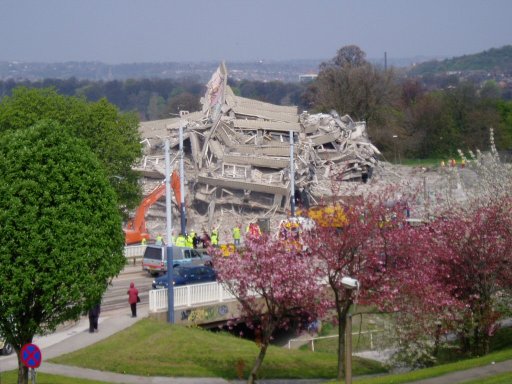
(61,240)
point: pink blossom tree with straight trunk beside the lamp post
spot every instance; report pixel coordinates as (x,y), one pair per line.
(350,251)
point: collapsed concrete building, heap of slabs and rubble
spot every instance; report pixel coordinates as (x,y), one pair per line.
(238,154)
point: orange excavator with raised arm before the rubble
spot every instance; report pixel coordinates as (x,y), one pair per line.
(136,230)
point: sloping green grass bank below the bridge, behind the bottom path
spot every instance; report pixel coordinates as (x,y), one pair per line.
(154,348)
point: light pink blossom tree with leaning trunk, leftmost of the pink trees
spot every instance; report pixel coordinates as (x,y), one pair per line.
(273,283)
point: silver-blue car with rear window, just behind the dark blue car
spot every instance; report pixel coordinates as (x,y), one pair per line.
(155,258)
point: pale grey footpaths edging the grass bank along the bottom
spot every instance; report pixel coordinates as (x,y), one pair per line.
(76,336)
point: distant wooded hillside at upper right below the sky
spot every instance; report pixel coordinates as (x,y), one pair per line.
(494,59)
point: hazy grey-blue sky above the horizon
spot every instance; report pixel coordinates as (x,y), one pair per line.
(133,31)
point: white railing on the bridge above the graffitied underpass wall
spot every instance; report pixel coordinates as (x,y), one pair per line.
(188,296)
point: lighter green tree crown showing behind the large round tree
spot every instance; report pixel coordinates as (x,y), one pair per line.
(112,136)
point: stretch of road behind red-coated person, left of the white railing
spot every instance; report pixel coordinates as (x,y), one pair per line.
(116,296)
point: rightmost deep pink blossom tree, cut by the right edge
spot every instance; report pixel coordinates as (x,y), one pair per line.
(477,261)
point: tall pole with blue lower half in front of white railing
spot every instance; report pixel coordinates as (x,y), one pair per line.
(170,285)
